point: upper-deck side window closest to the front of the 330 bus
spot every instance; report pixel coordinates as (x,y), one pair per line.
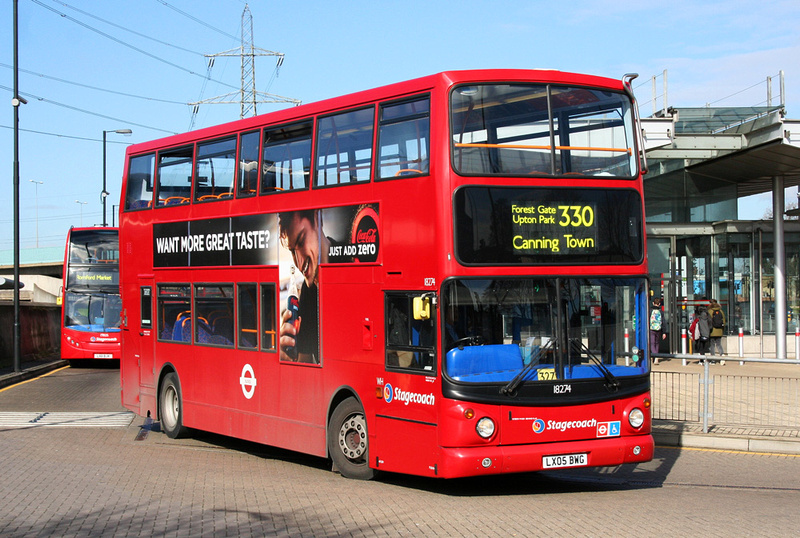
(404,138)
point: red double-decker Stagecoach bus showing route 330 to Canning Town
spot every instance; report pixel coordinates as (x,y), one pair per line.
(442,277)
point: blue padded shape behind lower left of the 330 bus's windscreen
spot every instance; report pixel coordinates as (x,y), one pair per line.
(484,363)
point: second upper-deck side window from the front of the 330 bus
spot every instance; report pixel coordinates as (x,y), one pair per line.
(344,147)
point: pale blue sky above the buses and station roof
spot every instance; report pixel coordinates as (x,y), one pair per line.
(89,66)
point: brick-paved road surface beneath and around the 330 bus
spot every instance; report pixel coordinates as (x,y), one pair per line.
(71,477)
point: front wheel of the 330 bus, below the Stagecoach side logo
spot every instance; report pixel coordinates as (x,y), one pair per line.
(348,443)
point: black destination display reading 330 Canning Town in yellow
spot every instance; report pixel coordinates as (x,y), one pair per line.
(527,226)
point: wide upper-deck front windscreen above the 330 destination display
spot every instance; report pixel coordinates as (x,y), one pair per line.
(520,130)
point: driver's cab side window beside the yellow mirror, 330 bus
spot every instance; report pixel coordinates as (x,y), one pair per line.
(409,342)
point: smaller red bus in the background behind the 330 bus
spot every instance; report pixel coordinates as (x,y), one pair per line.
(90,299)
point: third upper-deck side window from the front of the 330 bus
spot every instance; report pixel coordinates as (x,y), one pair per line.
(287,158)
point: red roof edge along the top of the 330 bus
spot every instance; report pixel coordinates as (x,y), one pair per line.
(395,90)
